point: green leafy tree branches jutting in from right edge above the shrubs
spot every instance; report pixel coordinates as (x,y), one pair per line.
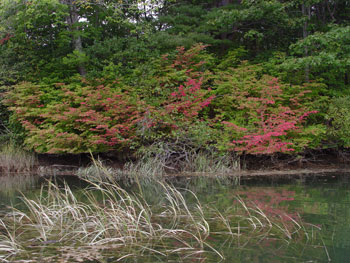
(328,57)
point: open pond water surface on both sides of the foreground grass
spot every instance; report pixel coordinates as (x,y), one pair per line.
(320,202)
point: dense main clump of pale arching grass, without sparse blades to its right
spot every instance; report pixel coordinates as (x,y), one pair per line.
(109,218)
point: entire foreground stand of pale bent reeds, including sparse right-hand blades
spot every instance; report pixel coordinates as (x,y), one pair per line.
(108,221)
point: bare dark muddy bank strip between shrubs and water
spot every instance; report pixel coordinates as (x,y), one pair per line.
(278,166)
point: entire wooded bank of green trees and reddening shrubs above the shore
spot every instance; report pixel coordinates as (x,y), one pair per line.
(256,77)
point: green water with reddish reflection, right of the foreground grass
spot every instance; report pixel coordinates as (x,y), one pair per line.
(322,203)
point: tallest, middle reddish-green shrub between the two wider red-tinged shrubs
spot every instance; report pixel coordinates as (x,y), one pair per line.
(179,96)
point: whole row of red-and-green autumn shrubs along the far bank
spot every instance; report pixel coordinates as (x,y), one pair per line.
(242,109)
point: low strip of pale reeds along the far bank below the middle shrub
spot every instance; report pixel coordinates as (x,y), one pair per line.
(149,168)
